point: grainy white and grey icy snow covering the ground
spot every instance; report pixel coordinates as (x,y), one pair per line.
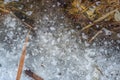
(55,52)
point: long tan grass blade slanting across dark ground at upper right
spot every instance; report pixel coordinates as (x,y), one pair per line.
(99,19)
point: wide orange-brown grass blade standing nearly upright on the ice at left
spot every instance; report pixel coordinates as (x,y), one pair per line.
(22,59)
